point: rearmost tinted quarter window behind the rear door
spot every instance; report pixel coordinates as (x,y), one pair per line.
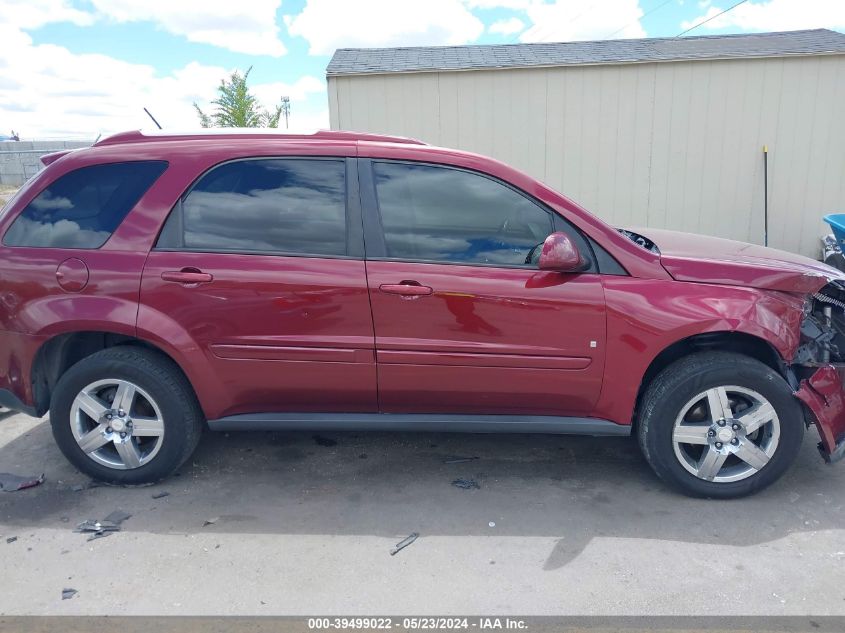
(84,207)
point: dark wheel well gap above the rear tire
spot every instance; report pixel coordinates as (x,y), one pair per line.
(63,351)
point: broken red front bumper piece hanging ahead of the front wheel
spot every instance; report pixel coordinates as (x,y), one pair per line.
(824,394)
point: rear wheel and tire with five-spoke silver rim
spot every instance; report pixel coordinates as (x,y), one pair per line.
(157,432)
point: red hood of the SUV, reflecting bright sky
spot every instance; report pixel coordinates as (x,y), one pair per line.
(714,260)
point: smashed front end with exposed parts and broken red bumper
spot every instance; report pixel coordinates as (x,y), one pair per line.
(819,365)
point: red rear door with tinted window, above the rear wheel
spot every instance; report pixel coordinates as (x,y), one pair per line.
(260,266)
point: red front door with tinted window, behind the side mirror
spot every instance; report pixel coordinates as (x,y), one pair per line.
(465,322)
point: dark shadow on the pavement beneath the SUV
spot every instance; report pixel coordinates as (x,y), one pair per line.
(569,488)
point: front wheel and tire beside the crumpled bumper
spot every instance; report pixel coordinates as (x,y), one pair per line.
(673,411)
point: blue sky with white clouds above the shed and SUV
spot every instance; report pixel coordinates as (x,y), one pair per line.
(80,68)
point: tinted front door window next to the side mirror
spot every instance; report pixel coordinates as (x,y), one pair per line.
(440,214)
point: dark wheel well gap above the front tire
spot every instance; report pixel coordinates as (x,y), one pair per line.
(736,342)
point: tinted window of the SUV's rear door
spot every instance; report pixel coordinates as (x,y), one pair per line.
(279,206)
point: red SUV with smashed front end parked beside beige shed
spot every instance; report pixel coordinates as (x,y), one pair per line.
(152,284)
